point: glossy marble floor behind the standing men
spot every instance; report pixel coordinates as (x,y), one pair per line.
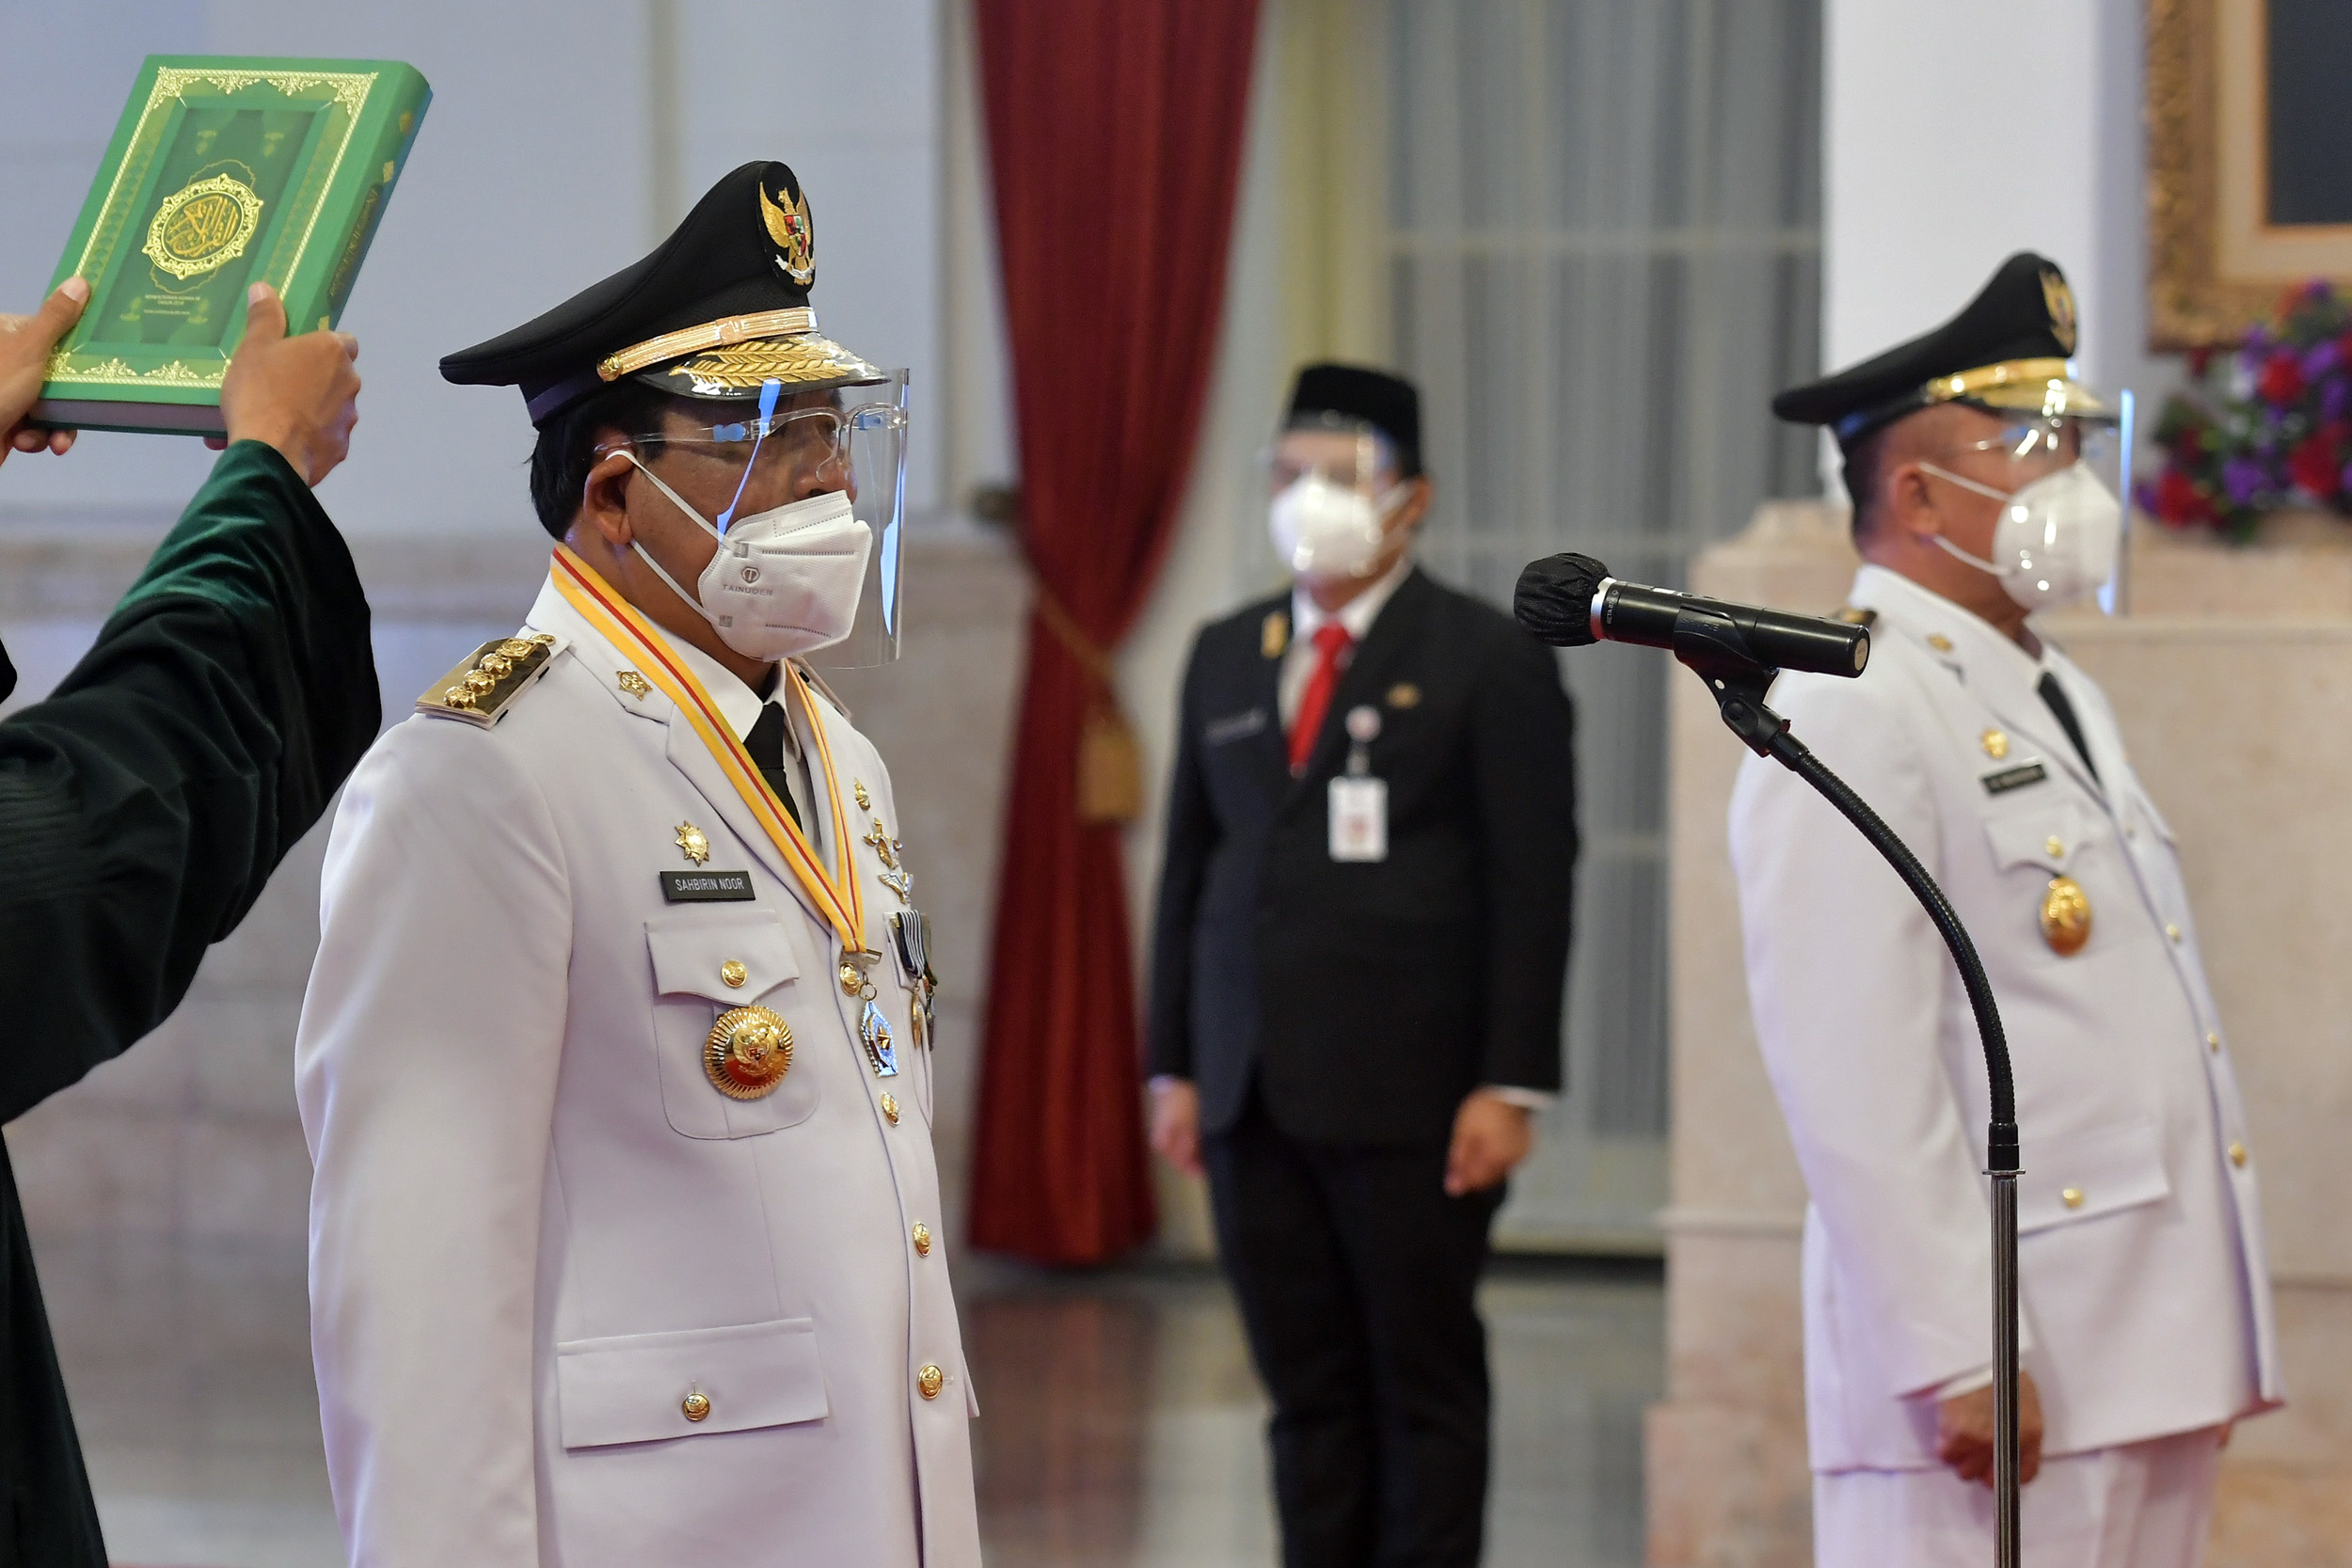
(1123,1426)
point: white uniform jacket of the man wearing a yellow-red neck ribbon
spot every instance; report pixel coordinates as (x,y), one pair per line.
(542,1238)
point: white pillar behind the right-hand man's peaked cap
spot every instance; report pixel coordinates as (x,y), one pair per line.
(1963,133)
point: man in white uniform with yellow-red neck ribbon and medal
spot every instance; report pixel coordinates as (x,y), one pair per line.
(624,1235)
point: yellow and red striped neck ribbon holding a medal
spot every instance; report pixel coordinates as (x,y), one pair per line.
(627,629)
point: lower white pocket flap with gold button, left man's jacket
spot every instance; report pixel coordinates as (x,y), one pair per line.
(639,1388)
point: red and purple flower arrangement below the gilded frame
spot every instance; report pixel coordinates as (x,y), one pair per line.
(2264,427)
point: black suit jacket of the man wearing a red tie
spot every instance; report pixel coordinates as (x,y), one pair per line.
(1368,998)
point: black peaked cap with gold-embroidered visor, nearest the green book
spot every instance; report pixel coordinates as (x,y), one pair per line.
(716,311)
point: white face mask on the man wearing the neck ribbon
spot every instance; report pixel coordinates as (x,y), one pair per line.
(784,582)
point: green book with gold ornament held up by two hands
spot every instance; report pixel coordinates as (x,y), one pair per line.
(225,173)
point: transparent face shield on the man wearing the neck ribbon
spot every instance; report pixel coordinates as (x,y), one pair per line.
(799,445)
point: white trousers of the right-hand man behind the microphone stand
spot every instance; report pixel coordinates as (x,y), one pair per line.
(2144,1506)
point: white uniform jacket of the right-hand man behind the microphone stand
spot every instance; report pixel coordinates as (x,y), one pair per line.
(2144,1294)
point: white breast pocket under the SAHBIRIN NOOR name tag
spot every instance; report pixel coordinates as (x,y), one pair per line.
(707,965)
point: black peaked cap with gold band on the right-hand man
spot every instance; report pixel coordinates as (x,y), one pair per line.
(2007,351)
